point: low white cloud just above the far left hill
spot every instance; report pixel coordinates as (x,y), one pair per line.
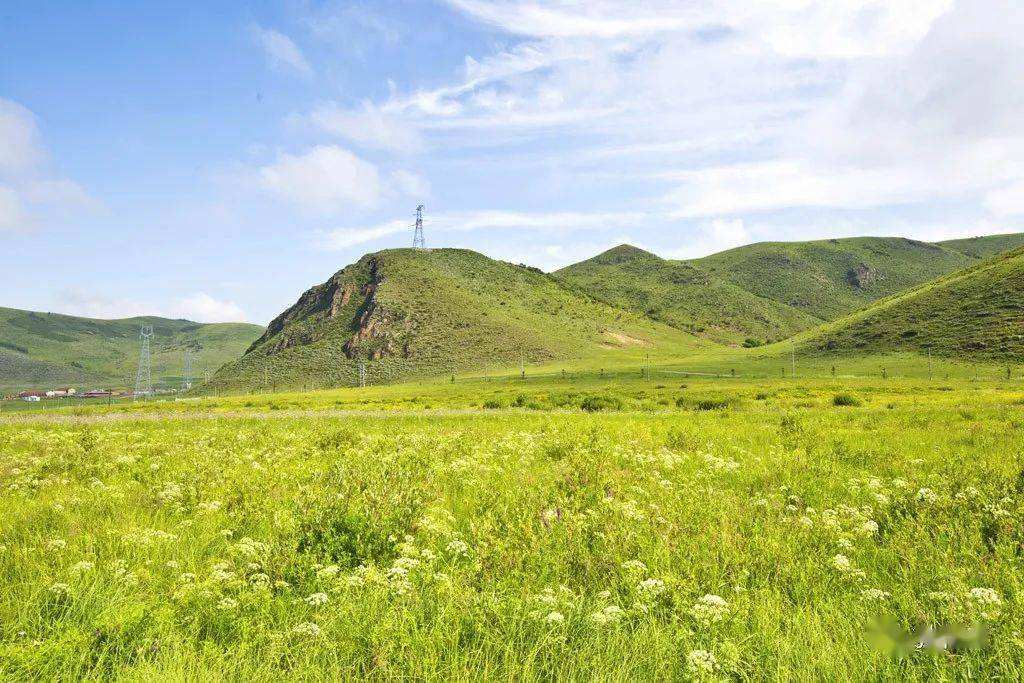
(200,308)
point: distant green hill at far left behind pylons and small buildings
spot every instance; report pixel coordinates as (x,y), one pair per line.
(41,351)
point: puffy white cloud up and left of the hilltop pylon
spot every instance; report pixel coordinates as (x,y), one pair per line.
(325,180)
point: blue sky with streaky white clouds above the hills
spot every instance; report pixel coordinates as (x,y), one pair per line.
(212,161)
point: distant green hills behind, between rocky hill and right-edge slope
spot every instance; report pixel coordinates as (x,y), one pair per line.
(771,291)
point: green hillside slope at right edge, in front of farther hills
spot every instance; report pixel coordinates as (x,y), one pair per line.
(977,313)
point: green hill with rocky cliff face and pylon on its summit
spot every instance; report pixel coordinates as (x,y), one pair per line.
(416,314)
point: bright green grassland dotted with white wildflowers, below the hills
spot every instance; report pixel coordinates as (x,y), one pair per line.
(702,529)
